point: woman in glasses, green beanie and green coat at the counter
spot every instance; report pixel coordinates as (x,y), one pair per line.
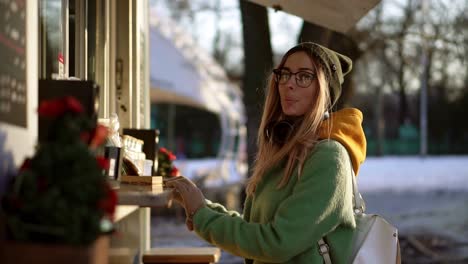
(300,190)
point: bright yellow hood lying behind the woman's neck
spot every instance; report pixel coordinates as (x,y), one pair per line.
(346,128)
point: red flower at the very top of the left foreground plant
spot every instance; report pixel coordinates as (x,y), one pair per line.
(57,107)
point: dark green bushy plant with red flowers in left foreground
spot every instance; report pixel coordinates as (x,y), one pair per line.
(44,173)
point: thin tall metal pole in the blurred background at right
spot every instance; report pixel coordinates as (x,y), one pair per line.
(423,94)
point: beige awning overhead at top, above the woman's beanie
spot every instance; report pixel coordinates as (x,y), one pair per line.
(338,15)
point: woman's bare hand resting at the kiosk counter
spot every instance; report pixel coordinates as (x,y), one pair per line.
(188,195)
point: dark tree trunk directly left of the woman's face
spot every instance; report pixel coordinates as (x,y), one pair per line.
(258,61)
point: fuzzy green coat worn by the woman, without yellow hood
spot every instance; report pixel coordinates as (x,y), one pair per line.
(284,225)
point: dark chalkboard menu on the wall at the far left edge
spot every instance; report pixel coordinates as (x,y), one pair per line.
(13,95)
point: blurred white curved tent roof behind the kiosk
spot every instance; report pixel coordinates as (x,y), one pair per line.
(181,72)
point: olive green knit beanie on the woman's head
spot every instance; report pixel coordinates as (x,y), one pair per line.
(334,65)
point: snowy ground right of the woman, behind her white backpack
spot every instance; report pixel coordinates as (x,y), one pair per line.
(418,194)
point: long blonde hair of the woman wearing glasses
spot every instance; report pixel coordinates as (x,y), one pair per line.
(305,135)
